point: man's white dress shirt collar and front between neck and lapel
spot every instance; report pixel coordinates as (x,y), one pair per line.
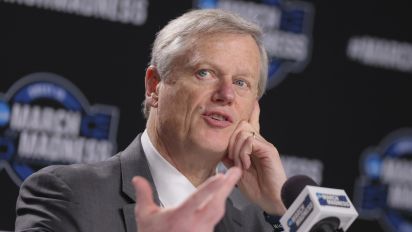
(172,186)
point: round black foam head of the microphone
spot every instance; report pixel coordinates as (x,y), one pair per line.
(292,188)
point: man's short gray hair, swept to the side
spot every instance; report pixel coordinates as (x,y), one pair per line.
(181,33)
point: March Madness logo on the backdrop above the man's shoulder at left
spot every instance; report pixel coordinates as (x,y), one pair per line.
(46,120)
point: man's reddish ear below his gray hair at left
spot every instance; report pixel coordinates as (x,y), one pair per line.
(152,83)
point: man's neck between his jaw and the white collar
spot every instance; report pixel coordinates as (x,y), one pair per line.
(194,164)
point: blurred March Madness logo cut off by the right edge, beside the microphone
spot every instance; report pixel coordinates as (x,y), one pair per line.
(384,190)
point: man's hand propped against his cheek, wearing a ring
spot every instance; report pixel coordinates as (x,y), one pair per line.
(263,173)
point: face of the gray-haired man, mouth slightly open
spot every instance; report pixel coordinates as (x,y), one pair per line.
(209,91)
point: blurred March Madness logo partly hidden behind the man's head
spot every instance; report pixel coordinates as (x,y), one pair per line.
(287,27)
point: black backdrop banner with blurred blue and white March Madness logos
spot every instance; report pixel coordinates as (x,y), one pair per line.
(338,105)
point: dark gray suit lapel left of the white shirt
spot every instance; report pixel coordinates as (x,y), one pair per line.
(133,162)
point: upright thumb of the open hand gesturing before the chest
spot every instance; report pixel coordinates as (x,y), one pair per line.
(144,197)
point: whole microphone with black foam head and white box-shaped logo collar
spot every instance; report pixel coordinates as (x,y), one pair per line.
(315,209)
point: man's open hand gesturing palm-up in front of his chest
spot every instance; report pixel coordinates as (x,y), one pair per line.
(200,212)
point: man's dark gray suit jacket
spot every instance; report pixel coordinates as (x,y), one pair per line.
(100,197)
